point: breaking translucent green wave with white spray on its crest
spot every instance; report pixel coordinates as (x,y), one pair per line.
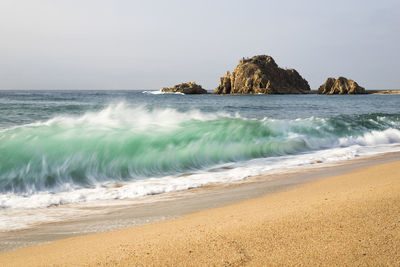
(122,144)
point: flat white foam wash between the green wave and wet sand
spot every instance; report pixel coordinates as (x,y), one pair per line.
(50,207)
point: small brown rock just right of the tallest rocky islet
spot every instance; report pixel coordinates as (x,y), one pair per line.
(341,86)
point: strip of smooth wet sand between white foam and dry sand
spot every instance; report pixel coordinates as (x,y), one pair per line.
(176,204)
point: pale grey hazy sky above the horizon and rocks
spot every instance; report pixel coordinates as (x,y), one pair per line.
(122,44)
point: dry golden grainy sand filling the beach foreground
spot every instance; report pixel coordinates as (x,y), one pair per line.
(351,219)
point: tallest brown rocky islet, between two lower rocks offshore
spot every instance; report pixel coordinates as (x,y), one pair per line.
(261,75)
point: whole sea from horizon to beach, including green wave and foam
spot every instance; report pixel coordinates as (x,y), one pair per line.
(65,149)
